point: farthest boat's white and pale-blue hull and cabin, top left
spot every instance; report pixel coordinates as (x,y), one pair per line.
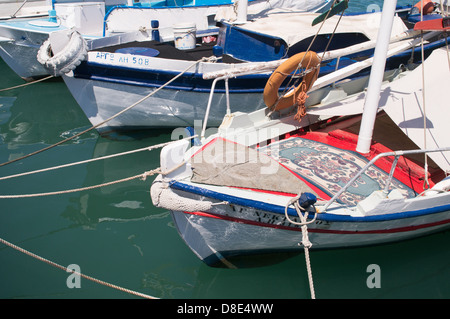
(20,40)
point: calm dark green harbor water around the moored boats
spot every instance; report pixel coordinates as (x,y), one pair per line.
(116,235)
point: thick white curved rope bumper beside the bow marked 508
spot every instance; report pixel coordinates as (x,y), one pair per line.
(67,59)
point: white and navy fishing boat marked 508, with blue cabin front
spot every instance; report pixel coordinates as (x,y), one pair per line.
(169,86)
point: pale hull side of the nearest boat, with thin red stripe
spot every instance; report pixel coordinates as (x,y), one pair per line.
(237,231)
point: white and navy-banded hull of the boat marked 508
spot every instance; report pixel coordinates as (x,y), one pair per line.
(108,83)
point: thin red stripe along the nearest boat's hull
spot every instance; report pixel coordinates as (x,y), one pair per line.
(323,231)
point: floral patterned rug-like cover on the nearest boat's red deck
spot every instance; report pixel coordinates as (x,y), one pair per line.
(330,168)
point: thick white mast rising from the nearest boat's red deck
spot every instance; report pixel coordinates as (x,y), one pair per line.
(376,77)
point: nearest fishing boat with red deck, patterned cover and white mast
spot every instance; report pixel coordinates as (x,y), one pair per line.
(367,167)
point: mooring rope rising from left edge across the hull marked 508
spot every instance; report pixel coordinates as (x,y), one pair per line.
(112,117)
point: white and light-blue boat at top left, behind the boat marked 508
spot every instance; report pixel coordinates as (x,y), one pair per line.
(116,21)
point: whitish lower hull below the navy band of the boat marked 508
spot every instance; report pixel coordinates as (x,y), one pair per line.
(101,100)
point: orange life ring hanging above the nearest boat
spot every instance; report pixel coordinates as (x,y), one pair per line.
(307,60)
